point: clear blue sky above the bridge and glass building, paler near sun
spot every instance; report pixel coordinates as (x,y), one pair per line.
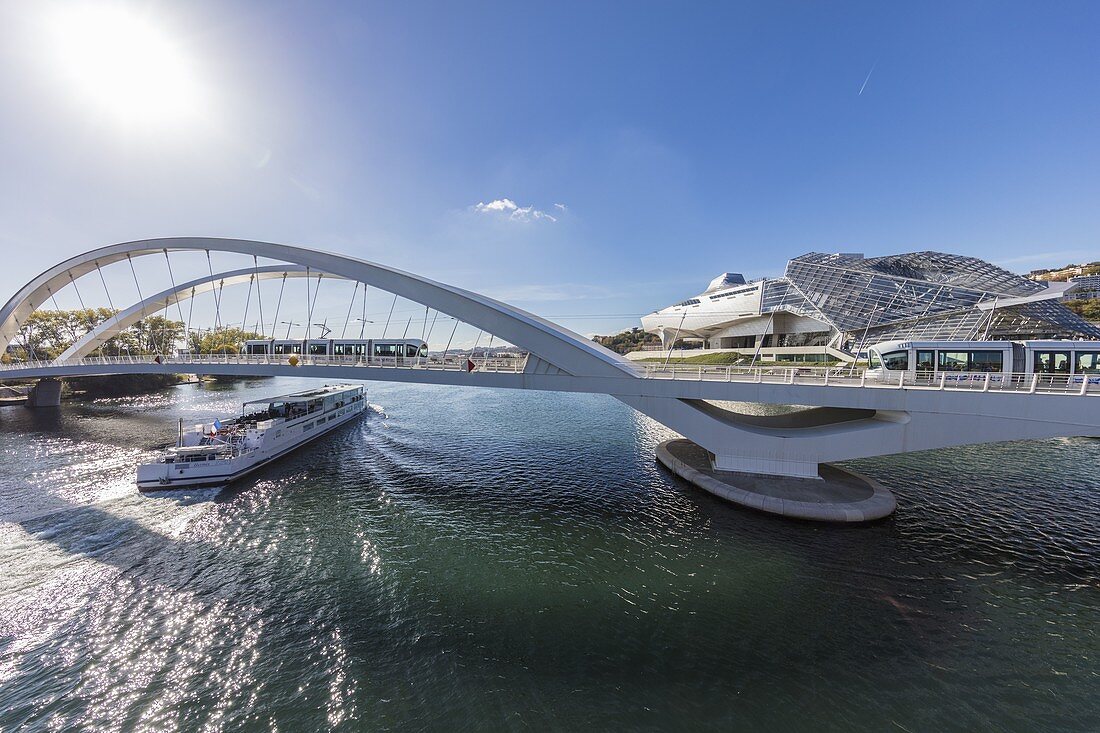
(646,147)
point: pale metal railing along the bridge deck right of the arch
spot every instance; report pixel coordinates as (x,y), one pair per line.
(1080,385)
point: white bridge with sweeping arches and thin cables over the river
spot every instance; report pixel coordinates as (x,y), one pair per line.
(846,417)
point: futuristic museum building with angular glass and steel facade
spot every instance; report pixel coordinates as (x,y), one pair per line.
(830,307)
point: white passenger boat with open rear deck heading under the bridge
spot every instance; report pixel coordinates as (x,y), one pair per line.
(214,454)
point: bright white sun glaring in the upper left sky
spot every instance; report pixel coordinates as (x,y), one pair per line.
(122,65)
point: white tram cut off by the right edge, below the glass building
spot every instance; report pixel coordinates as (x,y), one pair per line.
(1072,362)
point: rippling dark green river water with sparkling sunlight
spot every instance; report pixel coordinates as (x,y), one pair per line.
(488,560)
